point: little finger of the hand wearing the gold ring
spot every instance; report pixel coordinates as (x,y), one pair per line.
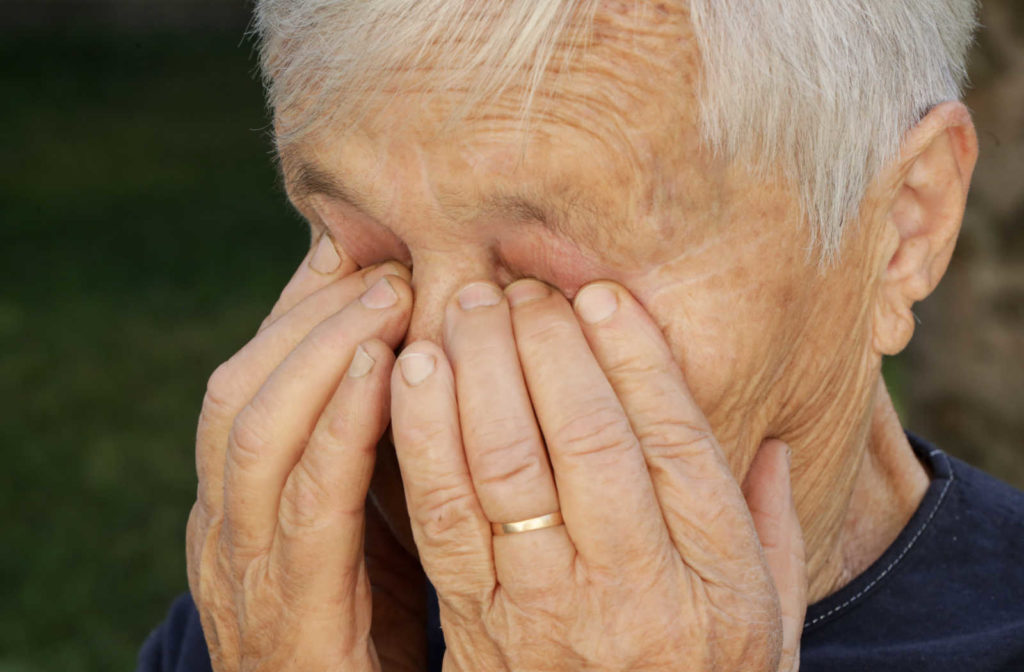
(451,531)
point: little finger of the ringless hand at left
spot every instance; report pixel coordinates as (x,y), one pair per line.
(318,549)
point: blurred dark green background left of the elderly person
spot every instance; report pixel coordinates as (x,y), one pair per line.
(144,236)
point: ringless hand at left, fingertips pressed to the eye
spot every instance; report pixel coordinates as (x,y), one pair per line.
(285,453)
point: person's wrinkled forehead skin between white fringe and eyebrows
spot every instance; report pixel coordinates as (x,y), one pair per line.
(609,149)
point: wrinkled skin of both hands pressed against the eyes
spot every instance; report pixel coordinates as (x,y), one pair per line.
(309,432)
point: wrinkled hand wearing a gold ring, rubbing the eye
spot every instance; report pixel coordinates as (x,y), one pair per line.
(659,565)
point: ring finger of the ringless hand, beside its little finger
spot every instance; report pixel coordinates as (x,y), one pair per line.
(271,433)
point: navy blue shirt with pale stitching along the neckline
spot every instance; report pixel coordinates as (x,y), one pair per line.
(949,595)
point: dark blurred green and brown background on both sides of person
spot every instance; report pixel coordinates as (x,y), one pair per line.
(144,235)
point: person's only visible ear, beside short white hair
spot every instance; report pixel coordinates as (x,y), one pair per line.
(928,187)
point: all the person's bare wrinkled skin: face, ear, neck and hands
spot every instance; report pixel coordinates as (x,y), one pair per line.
(728,347)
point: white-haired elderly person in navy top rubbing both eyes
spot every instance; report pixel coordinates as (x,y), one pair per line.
(641,264)
